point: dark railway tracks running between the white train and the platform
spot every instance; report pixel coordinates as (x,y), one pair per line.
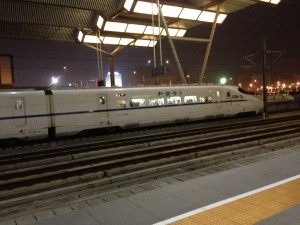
(31,176)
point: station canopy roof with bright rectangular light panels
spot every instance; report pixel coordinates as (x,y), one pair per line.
(117,22)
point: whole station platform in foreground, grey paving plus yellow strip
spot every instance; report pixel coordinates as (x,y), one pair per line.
(263,190)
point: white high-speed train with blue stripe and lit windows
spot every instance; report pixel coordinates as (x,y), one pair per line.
(28,114)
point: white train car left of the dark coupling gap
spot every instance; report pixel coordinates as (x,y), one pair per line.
(23,114)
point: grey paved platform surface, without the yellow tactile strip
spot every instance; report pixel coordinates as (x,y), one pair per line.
(157,201)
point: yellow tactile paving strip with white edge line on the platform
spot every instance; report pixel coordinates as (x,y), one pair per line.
(245,209)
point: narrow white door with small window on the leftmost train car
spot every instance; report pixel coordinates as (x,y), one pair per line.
(18,107)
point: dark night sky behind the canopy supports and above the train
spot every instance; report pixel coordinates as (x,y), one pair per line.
(35,62)
